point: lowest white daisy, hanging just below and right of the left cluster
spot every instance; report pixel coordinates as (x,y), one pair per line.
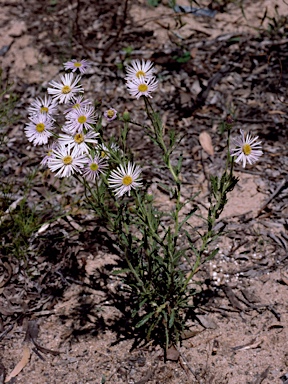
(124,178)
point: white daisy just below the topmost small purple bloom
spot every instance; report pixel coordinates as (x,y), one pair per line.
(66,89)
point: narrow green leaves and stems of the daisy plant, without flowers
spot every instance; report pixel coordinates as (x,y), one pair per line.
(156,244)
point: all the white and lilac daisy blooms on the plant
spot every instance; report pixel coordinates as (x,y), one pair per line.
(76,148)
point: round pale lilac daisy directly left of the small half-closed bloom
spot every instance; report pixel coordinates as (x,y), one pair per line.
(80,118)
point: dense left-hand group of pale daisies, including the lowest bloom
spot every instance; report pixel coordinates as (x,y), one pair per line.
(76,149)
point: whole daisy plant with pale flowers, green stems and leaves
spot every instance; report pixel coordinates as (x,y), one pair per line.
(161,254)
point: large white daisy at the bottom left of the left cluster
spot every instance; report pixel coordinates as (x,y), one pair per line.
(66,161)
